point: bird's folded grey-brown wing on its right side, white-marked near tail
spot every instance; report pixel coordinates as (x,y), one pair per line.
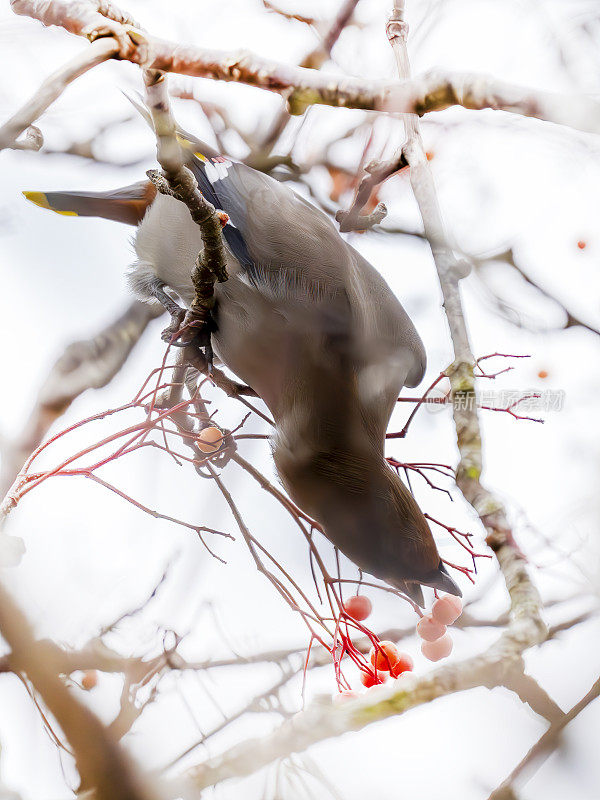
(292,252)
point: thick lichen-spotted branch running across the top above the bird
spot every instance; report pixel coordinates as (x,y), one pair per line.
(433,91)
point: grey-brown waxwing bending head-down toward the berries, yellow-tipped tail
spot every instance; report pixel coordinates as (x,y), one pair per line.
(313,329)
